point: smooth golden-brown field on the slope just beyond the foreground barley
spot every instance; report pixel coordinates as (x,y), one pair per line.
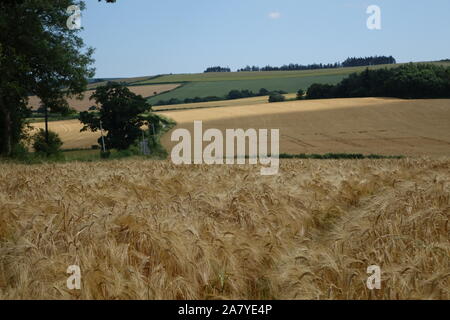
(362,125)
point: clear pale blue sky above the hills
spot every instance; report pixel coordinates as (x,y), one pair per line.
(146,37)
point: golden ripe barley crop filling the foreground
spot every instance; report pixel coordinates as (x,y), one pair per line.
(152,230)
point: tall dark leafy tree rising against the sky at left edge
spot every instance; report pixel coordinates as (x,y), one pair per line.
(39,56)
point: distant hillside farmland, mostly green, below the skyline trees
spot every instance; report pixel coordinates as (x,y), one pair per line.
(182,86)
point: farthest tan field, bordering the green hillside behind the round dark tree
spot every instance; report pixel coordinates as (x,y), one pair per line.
(85,103)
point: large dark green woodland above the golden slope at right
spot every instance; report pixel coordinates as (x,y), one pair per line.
(410,81)
